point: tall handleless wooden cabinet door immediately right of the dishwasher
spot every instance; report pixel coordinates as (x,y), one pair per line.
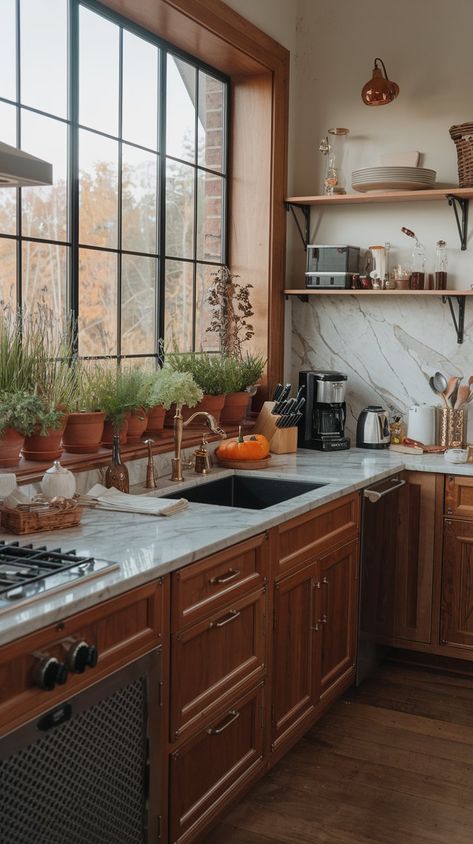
(415,557)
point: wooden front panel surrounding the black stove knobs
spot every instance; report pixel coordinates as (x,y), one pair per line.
(121,629)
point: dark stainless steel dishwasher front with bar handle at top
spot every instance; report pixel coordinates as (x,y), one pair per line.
(380,523)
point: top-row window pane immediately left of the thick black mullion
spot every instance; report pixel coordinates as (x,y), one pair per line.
(44,55)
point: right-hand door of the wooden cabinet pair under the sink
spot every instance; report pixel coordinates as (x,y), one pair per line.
(338,577)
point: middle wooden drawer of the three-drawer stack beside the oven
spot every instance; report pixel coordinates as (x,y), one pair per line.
(212,658)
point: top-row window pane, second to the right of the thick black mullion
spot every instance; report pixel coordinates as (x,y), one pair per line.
(140,91)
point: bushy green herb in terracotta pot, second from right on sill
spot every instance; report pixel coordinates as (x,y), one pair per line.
(209,371)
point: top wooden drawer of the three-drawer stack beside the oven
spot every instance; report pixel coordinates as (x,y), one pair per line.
(198,590)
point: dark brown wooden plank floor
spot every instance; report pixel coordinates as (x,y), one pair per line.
(391,763)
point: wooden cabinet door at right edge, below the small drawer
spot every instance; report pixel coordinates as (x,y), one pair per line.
(456,623)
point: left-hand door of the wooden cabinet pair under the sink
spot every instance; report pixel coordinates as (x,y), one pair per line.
(295,674)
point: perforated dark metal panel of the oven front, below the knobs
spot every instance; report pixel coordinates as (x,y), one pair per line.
(82,782)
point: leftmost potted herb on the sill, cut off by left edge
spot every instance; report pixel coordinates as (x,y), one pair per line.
(19,413)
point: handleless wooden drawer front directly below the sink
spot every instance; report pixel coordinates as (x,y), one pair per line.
(317,532)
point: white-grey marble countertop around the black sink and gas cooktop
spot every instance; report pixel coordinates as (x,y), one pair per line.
(147,547)
